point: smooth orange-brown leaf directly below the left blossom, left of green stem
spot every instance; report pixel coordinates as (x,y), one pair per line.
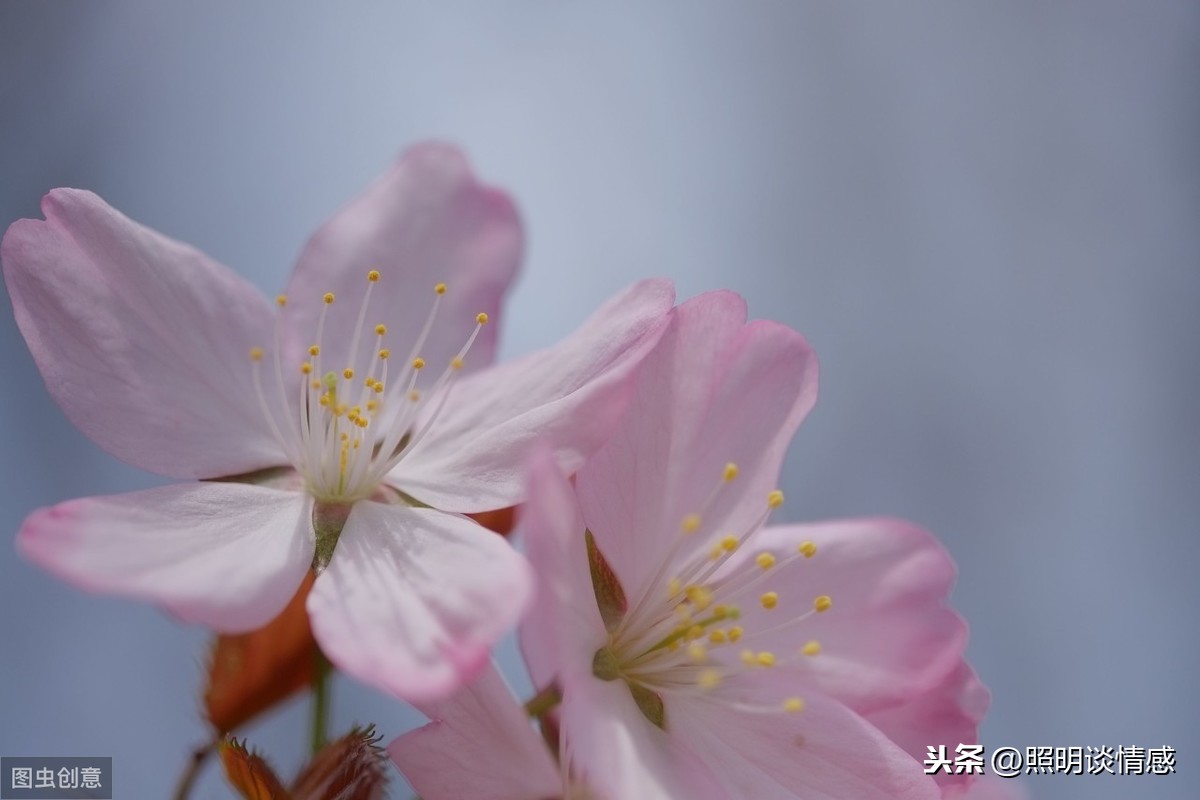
(254,672)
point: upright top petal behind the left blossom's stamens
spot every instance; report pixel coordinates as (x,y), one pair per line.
(425,222)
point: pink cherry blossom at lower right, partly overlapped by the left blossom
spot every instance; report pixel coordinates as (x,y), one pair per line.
(703,655)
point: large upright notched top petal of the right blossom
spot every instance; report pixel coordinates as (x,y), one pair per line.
(715,392)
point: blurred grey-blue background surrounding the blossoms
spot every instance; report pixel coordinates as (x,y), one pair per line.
(985,216)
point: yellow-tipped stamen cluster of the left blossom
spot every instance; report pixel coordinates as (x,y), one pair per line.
(351,424)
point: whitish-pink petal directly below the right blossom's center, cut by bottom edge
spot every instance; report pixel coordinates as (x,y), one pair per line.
(616,753)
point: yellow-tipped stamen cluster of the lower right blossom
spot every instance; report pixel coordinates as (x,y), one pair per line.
(712,616)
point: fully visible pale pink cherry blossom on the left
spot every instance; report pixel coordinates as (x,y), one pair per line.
(361,411)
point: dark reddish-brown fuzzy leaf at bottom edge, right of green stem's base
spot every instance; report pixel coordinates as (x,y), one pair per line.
(349,769)
